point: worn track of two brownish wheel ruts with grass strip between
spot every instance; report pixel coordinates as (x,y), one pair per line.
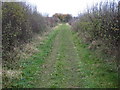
(60,67)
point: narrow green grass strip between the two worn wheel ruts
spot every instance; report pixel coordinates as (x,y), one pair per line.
(58,76)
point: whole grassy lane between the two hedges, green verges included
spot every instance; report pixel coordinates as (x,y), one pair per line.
(64,62)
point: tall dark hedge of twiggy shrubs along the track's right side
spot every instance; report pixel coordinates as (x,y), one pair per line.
(99,27)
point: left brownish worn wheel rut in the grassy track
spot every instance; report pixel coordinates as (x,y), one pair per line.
(48,66)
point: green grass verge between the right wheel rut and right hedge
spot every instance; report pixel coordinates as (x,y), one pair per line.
(95,73)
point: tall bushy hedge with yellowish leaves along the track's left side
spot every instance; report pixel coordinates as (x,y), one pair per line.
(20,22)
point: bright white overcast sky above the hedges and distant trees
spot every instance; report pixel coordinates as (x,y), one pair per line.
(51,7)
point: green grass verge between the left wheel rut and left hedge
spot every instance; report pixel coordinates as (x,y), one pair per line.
(31,66)
